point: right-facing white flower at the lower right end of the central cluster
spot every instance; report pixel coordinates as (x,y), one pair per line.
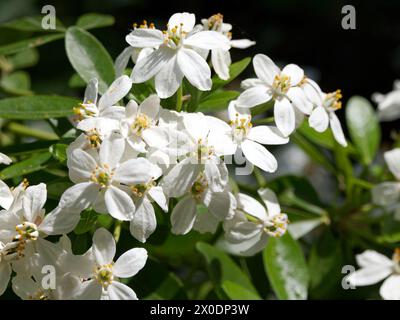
(248,231)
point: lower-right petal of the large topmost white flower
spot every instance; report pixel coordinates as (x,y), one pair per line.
(195,69)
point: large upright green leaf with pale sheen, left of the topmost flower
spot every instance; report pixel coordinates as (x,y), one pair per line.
(89,58)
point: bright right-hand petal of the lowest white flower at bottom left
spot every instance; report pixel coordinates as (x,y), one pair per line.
(130,263)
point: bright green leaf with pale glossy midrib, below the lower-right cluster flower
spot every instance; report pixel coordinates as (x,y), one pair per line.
(286,268)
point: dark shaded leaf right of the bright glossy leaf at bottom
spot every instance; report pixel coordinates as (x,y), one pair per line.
(325,265)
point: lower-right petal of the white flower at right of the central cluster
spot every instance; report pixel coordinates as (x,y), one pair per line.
(259,156)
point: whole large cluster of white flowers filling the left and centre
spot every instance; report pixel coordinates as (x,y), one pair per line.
(130,157)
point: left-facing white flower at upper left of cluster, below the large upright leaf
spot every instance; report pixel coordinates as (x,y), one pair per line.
(104,114)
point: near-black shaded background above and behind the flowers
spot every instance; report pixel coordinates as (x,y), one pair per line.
(308,33)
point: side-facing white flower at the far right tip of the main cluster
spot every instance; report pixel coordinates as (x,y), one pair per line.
(323,114)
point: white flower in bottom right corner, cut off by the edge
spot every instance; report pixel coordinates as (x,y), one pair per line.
(374,268)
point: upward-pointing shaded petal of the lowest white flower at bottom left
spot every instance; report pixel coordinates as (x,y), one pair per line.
(103,247)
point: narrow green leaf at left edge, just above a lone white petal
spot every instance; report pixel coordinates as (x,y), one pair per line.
(22,168)
